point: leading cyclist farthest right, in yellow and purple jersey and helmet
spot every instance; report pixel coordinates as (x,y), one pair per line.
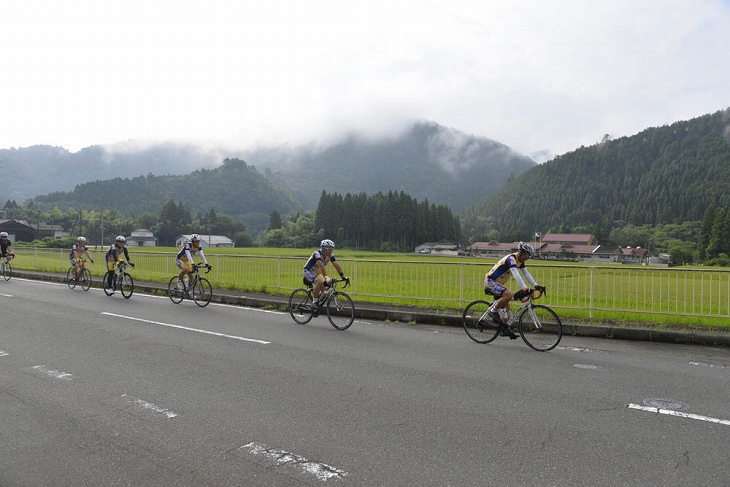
(498,275)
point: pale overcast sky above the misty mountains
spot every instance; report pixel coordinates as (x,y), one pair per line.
(534,75)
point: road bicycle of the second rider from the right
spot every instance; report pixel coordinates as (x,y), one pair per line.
(339,306)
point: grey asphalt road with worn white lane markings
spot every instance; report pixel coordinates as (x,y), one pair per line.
(99,390)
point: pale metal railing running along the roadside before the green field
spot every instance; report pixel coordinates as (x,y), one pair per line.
(444,285)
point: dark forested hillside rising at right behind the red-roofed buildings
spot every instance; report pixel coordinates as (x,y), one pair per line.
(663,175)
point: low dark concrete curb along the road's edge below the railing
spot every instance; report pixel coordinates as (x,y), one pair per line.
(418,316)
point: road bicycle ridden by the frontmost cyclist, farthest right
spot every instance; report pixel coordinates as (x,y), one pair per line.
(539,326)
